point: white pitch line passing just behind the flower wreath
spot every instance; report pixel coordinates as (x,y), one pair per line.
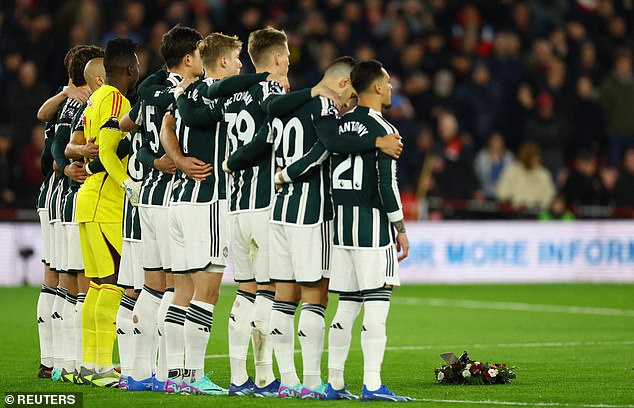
(499,345)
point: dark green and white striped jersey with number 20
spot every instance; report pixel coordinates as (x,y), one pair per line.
(306,201)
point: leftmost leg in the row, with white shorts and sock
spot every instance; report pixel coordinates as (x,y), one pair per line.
(46,299)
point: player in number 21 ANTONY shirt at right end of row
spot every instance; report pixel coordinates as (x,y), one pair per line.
(367,210)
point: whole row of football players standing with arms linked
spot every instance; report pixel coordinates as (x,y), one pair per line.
(141,204)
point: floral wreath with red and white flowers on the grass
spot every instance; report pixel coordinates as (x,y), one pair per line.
(463,370)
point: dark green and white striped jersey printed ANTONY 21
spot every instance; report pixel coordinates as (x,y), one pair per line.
(364,187)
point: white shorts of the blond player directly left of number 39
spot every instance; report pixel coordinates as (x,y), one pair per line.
(198,237)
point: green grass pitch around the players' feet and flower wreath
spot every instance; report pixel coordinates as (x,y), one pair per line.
(566,356)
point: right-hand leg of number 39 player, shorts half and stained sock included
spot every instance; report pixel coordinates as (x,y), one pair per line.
(258,226)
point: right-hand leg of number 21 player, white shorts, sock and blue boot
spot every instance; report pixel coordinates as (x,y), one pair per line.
(377,272)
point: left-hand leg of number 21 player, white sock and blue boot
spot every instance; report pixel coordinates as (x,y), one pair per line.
(342,281)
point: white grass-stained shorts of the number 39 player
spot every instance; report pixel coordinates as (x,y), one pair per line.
(250,246)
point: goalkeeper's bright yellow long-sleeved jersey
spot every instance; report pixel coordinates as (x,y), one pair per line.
(100,198)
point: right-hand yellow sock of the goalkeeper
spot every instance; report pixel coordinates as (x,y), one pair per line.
(105,319)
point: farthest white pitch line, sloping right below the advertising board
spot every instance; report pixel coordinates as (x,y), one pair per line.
(523,307)
